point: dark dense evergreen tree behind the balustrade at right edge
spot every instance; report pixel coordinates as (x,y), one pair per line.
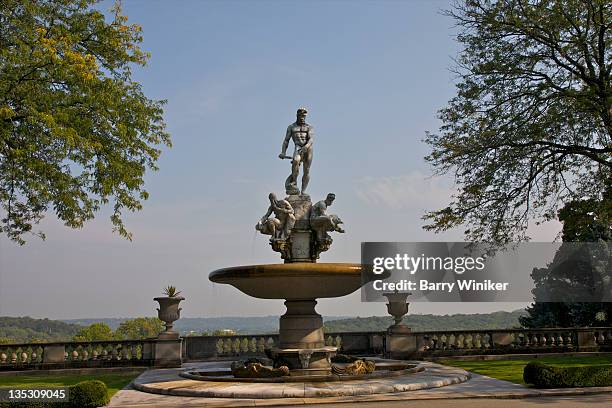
(585,221)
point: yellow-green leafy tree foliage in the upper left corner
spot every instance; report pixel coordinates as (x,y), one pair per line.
(76,132)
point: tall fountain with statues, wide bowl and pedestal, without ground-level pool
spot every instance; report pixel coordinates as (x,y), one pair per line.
(299,231)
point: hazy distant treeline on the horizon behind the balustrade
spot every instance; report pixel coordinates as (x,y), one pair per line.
(27,329)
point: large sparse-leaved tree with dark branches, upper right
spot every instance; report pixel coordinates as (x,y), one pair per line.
(530,128)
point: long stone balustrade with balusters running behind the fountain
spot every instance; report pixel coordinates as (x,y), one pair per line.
(156,352)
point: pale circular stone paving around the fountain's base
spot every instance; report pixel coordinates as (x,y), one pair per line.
(169,382)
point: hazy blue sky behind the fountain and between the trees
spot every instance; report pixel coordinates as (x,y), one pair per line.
(372,73)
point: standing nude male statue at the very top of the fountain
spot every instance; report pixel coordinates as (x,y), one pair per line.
(302,135)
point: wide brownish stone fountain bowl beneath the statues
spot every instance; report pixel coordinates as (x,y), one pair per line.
(292,281)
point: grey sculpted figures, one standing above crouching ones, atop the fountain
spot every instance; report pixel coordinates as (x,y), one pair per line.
(279,221)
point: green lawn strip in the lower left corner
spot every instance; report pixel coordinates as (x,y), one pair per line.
(114,381)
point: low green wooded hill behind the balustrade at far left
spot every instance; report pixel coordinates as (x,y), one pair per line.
(26,330)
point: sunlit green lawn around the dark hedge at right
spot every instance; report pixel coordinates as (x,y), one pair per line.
(512,370)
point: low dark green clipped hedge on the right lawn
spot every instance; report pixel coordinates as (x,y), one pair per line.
(546,376)
